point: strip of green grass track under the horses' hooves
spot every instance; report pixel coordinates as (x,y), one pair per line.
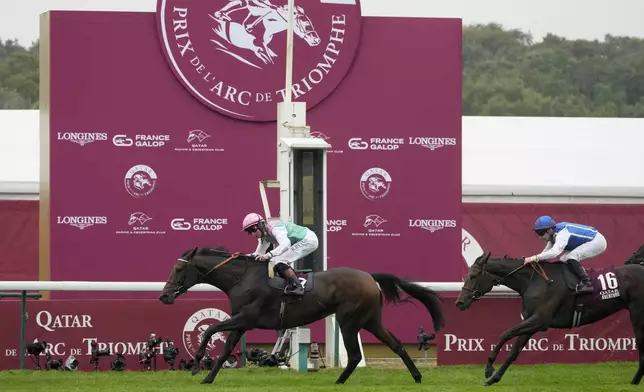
(570,378)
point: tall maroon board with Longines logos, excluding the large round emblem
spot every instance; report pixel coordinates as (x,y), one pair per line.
(124,93)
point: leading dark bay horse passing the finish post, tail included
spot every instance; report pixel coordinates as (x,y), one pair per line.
(356,297)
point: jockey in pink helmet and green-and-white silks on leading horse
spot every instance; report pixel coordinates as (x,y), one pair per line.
(291,242)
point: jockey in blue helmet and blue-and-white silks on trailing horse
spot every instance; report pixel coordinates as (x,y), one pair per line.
(578,242)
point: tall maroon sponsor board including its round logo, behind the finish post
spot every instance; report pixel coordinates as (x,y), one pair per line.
(138,178)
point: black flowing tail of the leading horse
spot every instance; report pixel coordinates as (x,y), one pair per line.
(391,286)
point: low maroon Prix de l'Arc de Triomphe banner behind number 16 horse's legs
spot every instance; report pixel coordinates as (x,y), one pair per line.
(470,336)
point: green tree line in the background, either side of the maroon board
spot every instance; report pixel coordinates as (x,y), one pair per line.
(505,73)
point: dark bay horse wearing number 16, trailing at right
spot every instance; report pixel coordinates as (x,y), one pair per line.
(549,300)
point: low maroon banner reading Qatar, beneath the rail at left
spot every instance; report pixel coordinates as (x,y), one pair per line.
(70,327)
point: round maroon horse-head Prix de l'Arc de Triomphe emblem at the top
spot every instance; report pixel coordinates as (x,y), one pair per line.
(231,54)
